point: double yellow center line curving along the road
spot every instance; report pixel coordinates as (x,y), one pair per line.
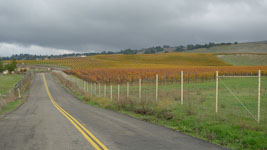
(87,134)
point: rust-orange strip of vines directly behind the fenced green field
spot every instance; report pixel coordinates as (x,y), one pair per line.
(169,74)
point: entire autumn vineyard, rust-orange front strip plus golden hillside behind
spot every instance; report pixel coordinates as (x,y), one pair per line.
(129,68)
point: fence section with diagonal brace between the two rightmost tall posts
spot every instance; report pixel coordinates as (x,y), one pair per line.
(238,98)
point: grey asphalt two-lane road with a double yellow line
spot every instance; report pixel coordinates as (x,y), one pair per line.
(43,123)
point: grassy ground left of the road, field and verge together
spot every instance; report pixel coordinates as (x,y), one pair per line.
(10,100)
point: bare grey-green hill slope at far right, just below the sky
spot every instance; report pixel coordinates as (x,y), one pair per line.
(250,47)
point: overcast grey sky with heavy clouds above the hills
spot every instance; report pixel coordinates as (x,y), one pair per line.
(63,26)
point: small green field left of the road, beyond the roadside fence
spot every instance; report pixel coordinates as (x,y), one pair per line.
(7,82)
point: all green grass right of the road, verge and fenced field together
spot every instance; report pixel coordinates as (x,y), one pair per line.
(231,127)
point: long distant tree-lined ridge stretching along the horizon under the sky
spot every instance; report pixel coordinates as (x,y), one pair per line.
(250,47)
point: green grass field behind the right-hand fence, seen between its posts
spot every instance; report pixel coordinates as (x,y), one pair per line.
(201,96)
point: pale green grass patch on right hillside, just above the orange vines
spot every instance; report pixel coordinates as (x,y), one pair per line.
(245,59)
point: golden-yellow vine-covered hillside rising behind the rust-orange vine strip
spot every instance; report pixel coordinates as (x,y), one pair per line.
(166,60)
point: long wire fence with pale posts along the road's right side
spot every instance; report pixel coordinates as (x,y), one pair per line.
(237,97)
